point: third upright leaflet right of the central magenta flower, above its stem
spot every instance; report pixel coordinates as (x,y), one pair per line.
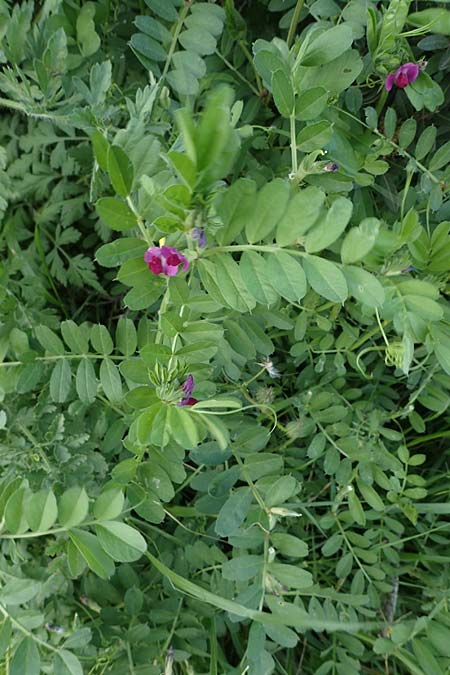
(300,215)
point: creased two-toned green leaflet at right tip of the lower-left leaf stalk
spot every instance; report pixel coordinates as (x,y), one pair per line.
(120,541)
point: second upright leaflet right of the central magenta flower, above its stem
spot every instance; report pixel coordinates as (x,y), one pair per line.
(271,203)
